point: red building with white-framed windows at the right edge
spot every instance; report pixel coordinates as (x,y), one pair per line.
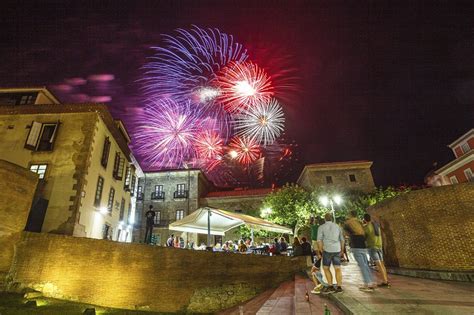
(461,169)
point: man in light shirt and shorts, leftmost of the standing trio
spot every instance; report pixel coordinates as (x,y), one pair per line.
(330,244)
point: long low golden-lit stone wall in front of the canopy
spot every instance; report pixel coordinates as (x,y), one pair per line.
(138,276)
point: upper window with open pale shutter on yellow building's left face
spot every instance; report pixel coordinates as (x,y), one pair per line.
(41,136)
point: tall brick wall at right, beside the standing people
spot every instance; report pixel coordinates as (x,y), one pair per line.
(431,229)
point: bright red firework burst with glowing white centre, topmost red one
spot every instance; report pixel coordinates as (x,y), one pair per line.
(243,85)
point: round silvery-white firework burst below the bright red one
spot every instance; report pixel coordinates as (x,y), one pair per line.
(263,122)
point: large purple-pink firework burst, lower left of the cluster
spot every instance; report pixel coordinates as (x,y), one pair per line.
(167,133)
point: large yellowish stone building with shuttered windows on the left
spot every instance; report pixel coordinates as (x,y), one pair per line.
(80,153)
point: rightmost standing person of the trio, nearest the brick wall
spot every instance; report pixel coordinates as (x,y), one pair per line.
(373,240)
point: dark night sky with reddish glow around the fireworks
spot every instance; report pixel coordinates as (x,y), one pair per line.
(391,83)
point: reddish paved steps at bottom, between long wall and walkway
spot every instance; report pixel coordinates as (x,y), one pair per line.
(288,299)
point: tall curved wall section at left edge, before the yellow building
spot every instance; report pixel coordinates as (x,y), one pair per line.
(17,189)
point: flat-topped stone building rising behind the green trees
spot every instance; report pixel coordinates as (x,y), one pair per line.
(351,175)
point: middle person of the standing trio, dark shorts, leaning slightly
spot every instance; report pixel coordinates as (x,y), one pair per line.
(355,230)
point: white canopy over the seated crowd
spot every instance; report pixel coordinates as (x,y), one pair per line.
(222,221)
